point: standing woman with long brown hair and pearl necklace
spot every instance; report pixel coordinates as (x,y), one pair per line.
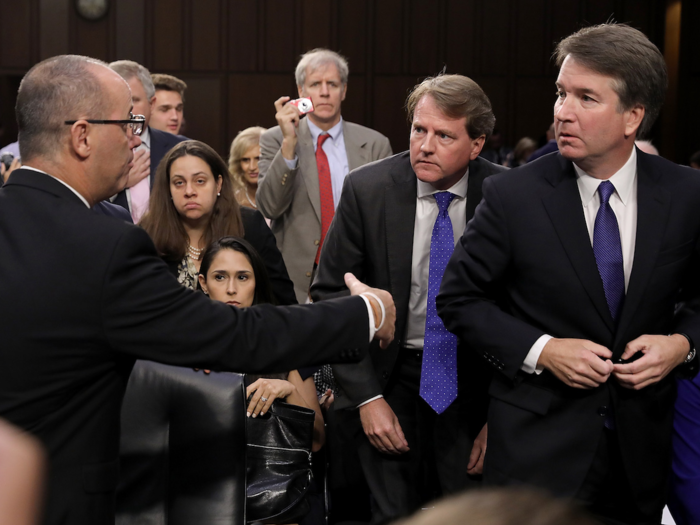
(193,203)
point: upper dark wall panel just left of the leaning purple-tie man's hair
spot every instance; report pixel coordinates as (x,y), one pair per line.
(388,40)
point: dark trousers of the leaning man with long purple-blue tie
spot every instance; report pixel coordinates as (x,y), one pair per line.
(439,448)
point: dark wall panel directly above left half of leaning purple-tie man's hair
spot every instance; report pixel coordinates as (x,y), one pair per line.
(424,37)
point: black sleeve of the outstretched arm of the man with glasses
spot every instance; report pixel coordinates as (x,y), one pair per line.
(147,314)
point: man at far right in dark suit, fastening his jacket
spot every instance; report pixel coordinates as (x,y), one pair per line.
(567,281)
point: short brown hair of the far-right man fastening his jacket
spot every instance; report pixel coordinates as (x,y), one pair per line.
(627,56)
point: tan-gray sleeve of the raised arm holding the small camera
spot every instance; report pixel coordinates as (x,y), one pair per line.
(276,182)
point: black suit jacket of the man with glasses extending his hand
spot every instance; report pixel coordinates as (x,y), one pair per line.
(83,296)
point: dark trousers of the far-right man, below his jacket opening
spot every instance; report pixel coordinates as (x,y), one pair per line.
(606,490)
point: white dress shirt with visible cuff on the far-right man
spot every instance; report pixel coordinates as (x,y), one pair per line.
(624,203)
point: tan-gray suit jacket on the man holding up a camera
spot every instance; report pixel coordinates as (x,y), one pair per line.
(291,198)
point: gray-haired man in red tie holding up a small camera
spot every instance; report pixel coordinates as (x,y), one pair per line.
(303,162)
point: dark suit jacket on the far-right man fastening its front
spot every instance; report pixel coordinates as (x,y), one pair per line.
(525,267)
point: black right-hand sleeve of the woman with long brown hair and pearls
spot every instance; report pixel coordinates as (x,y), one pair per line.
(260,236)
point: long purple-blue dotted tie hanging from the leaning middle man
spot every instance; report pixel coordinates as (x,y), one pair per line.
(438,381)
